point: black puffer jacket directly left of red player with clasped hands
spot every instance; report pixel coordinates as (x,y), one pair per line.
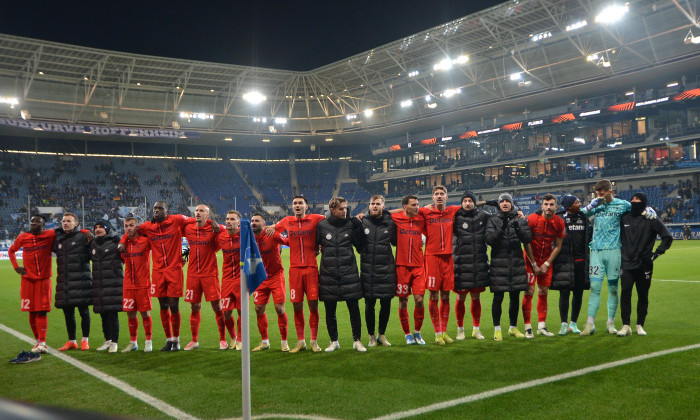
(507,264)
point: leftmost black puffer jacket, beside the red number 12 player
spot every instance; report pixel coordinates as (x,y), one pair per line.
(73,278)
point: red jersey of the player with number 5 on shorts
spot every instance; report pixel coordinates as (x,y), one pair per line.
(166,241)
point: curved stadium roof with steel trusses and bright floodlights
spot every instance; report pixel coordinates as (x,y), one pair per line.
(503,59)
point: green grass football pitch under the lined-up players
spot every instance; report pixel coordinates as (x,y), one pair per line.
(206,383)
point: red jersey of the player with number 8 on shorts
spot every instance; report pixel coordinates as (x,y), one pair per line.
(302,238)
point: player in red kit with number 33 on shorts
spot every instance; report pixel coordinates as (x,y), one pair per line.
(409,266)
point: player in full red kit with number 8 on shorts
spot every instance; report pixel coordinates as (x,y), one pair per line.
(303,268)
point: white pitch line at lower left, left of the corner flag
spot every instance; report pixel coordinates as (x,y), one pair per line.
(120,385)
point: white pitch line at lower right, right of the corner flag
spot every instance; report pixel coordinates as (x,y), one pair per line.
(529,384)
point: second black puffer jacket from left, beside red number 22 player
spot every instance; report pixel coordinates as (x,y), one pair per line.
(107,274)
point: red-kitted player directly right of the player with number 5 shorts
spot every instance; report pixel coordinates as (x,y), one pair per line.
(203,275)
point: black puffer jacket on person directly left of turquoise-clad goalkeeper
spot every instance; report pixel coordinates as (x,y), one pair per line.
(578,229)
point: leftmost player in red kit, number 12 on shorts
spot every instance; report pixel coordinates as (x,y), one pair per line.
(35,286)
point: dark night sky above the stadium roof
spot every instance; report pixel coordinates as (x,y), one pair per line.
(289,35)
